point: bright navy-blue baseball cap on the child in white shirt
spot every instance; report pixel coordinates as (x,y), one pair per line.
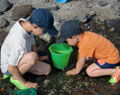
(44,19)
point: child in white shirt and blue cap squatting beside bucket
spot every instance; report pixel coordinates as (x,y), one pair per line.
(19,53)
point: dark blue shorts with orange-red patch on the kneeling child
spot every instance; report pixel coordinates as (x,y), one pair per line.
(103,64)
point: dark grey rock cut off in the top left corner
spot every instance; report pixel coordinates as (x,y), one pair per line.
(4,6)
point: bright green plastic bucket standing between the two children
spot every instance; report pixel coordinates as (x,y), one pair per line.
(60,54)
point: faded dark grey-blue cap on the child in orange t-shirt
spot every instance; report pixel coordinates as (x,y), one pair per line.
(68,29)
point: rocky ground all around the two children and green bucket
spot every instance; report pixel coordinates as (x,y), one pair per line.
(100,16)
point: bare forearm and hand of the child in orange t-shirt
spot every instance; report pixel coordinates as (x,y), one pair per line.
(79,65)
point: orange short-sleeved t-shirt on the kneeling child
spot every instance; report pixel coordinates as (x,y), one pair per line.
(97,46)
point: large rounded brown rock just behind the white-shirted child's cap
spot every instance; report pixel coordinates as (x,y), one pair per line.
(21,12)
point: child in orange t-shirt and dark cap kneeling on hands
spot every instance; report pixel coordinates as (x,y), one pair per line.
(91,45)
